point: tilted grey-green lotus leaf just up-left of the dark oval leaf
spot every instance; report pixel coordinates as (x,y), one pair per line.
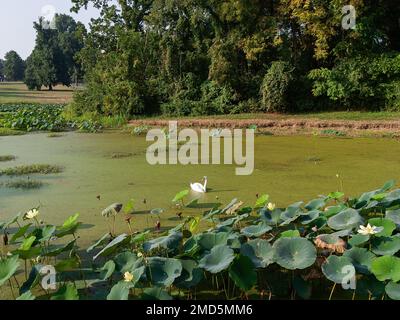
(219,258)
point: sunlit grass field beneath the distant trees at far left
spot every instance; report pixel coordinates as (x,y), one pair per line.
(17,92)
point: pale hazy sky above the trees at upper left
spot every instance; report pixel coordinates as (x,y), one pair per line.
(17,17)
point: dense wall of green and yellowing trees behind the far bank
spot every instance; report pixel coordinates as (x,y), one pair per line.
(212,56)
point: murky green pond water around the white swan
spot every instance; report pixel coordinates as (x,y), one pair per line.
(285,168)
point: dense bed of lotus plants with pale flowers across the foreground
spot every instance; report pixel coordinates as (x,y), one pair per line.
(305,250)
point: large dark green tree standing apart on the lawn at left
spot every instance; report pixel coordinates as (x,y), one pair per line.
(54,58)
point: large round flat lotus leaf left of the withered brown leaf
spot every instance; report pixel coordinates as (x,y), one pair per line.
(294,253)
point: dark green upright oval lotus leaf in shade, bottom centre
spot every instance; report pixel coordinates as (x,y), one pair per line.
(242,272)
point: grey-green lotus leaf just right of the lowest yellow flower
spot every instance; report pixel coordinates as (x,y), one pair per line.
(163,271)
